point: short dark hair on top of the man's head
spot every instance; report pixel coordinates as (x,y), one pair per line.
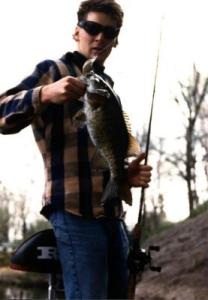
(109,7)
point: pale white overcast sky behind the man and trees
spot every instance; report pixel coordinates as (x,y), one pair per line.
(34,30)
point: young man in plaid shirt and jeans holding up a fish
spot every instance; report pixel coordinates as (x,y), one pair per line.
(93,247)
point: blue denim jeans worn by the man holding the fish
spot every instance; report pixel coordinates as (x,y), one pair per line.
(93,255)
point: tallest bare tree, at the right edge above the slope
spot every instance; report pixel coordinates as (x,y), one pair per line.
(192,97)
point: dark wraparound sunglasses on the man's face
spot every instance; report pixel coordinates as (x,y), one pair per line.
(94,28)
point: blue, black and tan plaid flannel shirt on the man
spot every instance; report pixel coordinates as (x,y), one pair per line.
(71,183)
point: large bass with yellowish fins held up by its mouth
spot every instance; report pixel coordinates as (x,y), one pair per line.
(109,131)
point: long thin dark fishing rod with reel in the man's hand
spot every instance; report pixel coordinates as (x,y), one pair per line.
(138,257)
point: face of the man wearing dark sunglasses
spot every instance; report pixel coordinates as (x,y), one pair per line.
(95,45)
